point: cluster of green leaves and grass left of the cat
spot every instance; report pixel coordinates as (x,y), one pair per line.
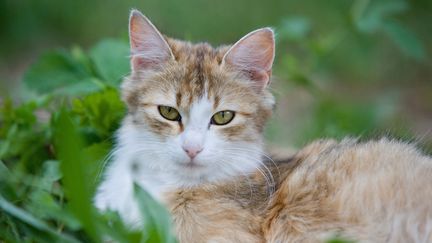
(53,147)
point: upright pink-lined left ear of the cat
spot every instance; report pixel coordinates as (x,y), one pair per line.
(149,49)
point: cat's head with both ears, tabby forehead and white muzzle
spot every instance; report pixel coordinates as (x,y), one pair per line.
(196,114)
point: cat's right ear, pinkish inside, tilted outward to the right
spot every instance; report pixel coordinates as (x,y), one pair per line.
(253,56)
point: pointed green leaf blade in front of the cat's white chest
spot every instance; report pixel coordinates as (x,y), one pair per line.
(156,219)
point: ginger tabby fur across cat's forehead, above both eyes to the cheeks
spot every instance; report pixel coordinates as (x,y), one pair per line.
(195,74)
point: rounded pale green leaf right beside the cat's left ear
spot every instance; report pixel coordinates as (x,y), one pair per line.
(111,60)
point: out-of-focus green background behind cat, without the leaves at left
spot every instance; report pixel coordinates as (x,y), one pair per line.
(342,68)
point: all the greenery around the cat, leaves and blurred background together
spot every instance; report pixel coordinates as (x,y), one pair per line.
(359,68)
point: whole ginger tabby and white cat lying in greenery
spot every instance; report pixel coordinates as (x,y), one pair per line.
(193,139)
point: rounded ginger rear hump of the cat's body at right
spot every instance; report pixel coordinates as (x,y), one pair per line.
(376,191)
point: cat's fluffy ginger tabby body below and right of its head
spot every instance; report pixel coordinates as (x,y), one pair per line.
(328,188)
